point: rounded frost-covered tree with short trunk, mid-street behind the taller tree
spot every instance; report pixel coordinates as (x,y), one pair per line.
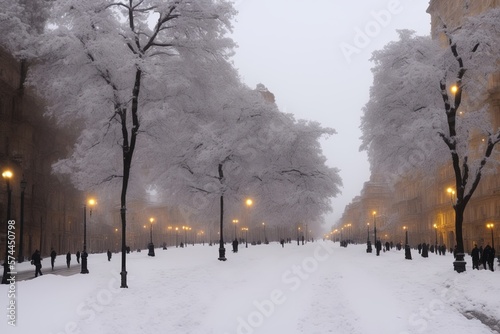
(229,144)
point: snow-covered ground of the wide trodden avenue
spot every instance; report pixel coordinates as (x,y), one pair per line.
(316,288)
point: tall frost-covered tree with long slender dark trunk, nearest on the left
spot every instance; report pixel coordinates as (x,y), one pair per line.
(109,67)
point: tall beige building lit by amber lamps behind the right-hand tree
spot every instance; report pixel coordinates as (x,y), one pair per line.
(425,208)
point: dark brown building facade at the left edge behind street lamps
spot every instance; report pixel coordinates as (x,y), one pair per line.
(29,144)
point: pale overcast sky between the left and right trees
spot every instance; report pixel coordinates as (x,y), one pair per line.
(314,56)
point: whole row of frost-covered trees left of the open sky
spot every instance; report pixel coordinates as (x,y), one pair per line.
(149,89)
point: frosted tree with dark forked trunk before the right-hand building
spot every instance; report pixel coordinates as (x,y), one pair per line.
(428,107)
